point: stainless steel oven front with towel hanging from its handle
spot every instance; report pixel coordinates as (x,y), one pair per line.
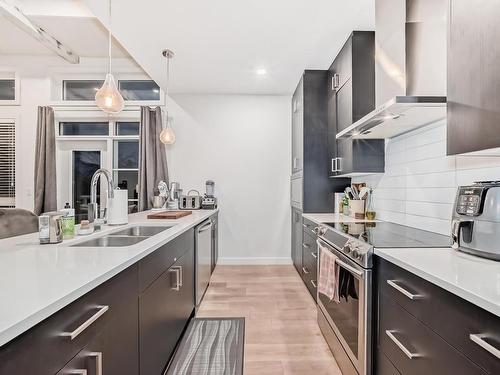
(346,325)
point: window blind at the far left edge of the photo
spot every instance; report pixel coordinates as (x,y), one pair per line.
(7,164)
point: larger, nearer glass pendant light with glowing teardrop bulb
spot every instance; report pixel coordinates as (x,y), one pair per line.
(108,97)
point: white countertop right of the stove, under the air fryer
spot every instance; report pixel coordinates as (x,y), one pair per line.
(475,279)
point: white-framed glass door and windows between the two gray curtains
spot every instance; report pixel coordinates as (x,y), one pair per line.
(87,145)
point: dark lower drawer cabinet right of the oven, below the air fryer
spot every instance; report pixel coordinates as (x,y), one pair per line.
(424,329)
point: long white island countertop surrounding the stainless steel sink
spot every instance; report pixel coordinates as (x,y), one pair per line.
(38,280)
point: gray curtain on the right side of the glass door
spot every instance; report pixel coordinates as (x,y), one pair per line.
(152,156)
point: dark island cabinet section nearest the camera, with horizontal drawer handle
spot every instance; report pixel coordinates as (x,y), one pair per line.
(107,314)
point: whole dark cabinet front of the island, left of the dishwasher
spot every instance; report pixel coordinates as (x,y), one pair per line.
(128,325)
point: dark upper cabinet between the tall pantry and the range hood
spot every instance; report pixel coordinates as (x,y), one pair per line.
(350,96)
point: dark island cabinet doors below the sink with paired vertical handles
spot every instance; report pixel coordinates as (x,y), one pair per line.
(164,311)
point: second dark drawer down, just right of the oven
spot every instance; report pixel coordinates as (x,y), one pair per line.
(415,349)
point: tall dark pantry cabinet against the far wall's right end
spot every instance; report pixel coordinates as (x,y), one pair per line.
(312,191)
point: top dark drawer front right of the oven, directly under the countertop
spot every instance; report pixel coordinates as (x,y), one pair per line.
(450,316)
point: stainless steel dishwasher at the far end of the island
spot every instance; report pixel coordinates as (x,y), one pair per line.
(203,258)
